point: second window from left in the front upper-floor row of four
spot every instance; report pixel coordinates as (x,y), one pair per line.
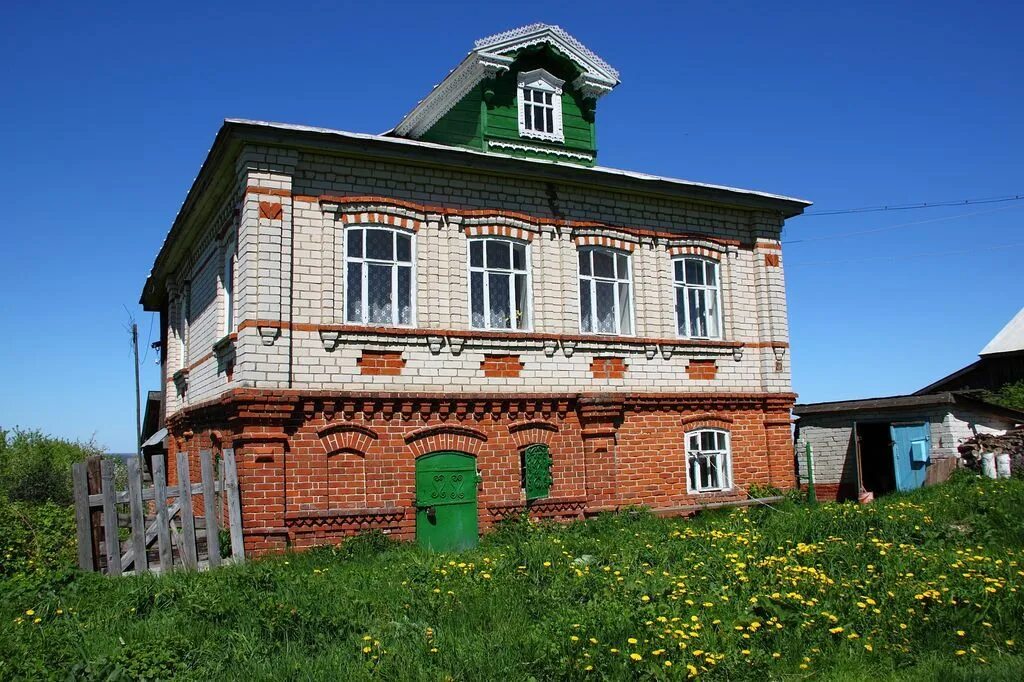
(499,284)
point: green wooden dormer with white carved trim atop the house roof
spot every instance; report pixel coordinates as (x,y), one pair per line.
(529,93)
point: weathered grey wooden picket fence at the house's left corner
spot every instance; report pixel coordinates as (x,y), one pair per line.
(156,516)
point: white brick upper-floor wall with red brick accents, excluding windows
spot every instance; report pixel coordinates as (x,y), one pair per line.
(291,272)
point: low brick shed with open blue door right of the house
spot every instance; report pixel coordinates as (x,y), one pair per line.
(891,444)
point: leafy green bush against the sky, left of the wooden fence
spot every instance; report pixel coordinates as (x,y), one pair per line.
(36,468)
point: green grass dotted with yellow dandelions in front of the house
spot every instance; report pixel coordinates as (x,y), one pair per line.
(923,586)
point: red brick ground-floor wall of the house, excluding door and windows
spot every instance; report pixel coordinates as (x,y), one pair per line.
(317,467)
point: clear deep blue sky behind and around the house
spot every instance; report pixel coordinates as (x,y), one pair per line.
(107,113)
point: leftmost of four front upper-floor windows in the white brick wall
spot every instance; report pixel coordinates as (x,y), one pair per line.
(378,277)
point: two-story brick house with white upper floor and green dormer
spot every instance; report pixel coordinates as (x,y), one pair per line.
(431,330)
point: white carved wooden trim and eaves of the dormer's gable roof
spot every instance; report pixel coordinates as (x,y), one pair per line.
(490,58)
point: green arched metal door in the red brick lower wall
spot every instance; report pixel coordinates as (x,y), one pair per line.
(446,502)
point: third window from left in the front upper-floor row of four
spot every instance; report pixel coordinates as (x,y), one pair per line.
(606,292)
